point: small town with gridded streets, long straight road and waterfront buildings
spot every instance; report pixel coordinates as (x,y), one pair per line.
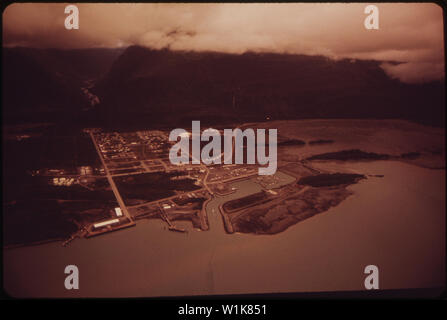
(142,154)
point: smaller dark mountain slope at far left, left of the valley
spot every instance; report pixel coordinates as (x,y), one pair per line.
(46,84)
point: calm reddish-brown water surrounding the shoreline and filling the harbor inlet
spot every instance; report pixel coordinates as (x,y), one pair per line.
(396,222)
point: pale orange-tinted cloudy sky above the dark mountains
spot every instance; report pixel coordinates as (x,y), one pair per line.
(411,33)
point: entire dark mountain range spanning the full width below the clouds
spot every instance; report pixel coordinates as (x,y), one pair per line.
(138,87)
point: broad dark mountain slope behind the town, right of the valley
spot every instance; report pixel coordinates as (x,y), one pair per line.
(162,86)
